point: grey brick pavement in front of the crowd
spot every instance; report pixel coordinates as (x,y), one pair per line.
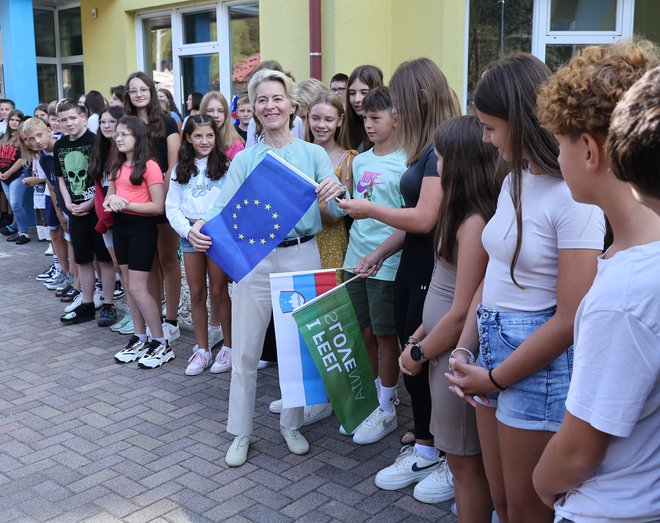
(85,439)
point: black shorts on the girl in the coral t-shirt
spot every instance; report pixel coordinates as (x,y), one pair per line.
(135,238)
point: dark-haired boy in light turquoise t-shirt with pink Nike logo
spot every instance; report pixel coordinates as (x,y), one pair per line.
(377,173)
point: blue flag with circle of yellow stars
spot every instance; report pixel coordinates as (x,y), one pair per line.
(268,204)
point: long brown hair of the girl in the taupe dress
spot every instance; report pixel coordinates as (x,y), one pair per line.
(470,183)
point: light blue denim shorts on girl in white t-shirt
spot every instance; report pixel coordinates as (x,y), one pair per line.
(536,402)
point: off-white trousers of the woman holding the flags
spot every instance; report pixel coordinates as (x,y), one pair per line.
(251,311)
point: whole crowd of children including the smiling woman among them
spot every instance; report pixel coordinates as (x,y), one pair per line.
(507,259)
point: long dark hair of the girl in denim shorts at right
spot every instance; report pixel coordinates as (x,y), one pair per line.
(508,90)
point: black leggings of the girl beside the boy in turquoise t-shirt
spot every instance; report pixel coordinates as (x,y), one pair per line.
(410,288)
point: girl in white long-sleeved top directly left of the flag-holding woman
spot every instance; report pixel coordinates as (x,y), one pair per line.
(196,183)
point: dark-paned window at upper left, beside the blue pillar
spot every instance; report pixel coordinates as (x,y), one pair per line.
(58,42)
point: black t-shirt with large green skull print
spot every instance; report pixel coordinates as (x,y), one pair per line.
(72,163)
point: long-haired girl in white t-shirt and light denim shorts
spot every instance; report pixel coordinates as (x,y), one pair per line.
(542,249)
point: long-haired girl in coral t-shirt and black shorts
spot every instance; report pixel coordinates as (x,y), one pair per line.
(136,196)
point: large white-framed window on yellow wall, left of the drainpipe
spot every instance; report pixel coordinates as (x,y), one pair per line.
(200,48)
